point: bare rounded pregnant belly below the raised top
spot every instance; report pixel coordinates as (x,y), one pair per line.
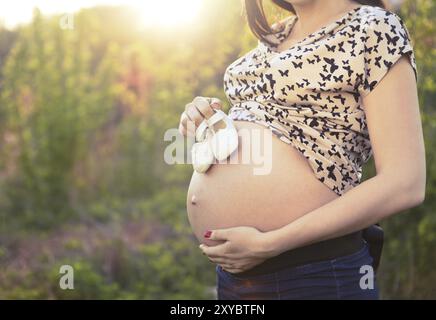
(266,191)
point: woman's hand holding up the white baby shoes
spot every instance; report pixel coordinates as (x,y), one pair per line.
(195,112)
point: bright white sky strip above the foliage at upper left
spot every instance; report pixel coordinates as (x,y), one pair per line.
(16,12)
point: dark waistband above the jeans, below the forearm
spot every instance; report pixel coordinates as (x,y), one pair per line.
(323,250)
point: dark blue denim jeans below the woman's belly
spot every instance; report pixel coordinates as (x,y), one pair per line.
(345,277)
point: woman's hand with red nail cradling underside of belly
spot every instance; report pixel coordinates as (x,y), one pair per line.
(242,249)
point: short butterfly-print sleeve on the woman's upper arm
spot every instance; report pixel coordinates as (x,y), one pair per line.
(385,42)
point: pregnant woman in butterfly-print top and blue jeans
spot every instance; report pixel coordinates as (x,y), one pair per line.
(329,86)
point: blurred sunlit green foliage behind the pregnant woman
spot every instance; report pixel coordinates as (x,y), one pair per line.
(82,177)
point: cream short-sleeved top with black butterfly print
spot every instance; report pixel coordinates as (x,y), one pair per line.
(310,95)
